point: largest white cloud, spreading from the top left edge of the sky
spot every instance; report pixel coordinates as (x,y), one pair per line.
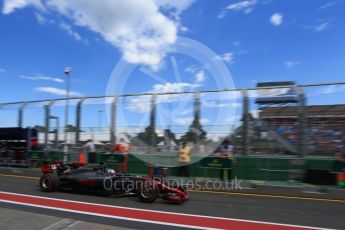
(138,28)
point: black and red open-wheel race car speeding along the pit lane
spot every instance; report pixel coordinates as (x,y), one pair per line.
(97,178)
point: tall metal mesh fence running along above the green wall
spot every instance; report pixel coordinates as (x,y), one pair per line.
(314,125)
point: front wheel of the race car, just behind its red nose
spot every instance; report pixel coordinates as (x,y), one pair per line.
(147,191)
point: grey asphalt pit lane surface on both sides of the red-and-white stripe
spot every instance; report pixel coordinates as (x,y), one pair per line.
(283,210)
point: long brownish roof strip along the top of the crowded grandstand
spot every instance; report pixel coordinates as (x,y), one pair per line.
(312,111)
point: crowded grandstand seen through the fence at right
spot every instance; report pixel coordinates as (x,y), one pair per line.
(325,125)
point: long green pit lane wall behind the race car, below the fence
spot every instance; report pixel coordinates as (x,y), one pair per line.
(311,169)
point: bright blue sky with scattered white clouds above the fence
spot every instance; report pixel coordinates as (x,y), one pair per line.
(257,40)
